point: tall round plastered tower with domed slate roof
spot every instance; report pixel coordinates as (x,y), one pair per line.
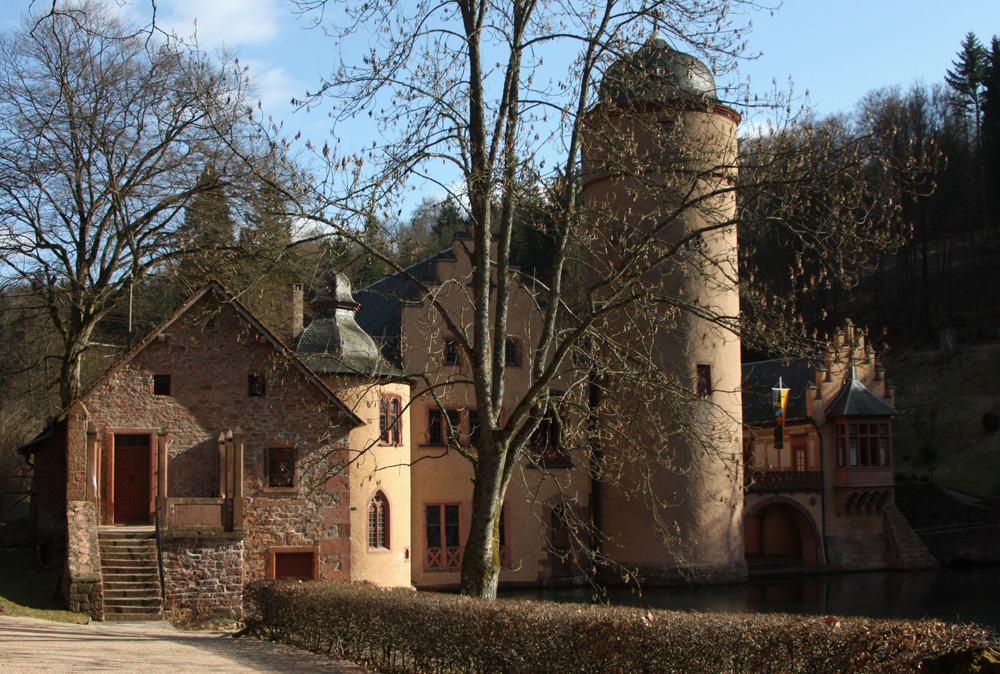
(659,165)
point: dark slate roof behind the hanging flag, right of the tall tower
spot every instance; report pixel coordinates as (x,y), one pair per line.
(760,377)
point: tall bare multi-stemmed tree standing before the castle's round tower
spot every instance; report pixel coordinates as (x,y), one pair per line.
(463,84)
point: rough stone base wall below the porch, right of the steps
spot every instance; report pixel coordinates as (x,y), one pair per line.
(204,576)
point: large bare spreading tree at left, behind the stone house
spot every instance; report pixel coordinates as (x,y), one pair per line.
(103,134)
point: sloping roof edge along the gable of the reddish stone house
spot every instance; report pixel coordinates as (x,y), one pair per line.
(226,297)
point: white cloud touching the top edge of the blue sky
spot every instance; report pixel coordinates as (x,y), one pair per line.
(230,22)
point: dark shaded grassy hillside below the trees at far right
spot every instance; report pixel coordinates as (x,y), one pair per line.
(943,400)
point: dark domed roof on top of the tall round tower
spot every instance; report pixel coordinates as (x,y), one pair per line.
(657,72)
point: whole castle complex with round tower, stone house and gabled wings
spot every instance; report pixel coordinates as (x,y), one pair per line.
(216,452)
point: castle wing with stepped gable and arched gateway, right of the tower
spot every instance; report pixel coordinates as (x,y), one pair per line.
(822,498)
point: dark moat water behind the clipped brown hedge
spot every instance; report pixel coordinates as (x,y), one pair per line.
(966,595)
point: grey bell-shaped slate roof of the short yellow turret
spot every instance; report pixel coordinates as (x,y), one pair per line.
(334,343)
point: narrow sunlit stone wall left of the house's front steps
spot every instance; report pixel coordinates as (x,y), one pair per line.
(82,582)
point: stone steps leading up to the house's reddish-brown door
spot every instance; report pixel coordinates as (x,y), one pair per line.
(131,575)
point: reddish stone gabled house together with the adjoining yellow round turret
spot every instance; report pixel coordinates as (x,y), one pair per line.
(245,463)
